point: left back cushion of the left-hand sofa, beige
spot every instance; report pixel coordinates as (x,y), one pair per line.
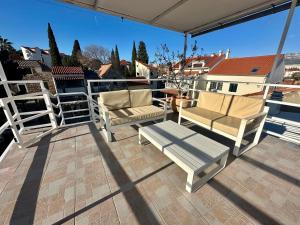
(115,99)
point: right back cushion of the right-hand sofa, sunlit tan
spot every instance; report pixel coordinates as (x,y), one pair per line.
(242,107)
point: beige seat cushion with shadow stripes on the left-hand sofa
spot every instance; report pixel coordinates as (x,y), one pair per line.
(123,116)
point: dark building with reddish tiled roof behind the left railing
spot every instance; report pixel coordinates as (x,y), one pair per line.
(68,79)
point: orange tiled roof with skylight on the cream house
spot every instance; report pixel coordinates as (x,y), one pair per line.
(252,66)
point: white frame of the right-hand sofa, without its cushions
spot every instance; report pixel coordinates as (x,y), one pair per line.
(237,151)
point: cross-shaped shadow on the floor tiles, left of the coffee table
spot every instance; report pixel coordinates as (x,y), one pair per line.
(135,200)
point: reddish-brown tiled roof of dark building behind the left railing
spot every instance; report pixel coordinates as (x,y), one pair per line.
(67,73)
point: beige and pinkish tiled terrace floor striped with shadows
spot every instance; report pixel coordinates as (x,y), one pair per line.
(75,177)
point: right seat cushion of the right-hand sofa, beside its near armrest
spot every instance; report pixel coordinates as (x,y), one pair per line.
(231,125)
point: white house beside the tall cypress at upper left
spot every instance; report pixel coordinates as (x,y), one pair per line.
(37,54)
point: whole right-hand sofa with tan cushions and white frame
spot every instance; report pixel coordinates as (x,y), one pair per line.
(233,117)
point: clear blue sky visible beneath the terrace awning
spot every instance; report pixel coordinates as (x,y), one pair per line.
(24,22)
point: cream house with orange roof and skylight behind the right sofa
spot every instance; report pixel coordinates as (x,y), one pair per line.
(243,75)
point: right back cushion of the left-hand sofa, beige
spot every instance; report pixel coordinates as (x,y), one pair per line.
(140,97)
